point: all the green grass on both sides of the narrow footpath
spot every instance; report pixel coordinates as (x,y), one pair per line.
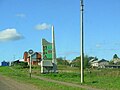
(106,79)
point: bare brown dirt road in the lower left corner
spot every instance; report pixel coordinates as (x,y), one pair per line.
(9,84)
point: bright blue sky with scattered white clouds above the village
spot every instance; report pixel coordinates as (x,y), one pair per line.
(23,23)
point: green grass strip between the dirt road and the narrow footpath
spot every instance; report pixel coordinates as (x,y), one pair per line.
(21,76)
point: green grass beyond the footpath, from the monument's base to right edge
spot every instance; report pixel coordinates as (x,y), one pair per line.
(107,79)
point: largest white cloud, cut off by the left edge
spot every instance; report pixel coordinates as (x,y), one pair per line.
(9,35)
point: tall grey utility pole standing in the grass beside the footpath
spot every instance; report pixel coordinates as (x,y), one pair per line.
(82,44)
